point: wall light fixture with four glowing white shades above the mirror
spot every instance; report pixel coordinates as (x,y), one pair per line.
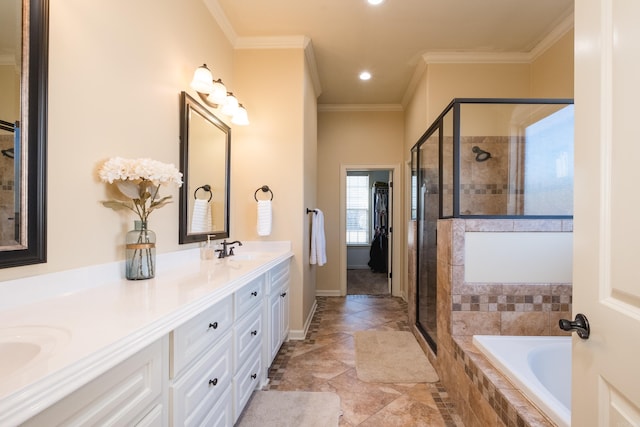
(214,93)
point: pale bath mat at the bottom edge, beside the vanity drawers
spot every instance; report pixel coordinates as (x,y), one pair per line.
(291,409)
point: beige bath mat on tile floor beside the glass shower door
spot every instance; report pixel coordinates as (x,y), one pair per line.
(391,357)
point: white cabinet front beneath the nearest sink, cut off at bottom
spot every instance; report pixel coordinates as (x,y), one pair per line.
(134,392)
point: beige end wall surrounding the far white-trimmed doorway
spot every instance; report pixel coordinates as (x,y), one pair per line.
(353,138)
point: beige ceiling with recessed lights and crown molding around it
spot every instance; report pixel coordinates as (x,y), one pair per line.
(390,40)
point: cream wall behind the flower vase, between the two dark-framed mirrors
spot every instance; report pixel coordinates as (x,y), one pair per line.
(115,73)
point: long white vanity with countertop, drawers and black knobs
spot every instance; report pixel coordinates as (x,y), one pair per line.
(186,348)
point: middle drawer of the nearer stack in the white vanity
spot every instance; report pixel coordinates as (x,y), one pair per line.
(195,394)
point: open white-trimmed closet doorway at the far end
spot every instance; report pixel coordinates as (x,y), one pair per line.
(367,225)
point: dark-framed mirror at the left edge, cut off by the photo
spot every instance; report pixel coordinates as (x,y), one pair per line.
(23,131)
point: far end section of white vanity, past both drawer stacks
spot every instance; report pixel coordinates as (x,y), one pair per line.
(278,310)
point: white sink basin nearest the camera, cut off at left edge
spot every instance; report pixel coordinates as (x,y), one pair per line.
(22,346)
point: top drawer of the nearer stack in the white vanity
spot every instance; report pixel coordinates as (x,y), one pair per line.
(195,336)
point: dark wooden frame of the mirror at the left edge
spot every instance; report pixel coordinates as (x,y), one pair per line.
(35,47)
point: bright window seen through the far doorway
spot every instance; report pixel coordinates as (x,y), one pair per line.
(358,210)
